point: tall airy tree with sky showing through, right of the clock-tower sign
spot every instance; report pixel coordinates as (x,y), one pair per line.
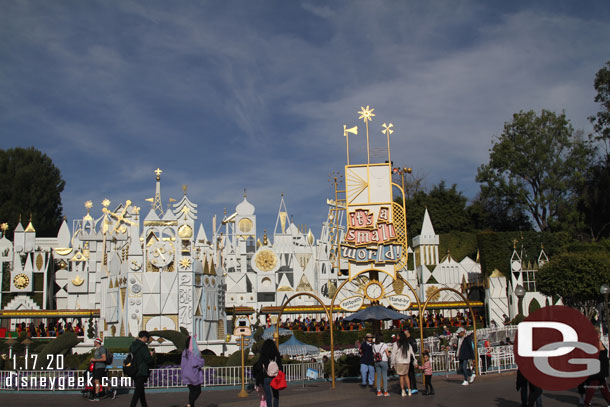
(536,163)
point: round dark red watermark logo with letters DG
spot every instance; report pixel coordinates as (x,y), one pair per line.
(556,348)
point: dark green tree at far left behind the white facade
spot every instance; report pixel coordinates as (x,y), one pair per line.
(30,184)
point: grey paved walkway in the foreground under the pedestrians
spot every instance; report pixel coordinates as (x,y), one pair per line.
(493,390)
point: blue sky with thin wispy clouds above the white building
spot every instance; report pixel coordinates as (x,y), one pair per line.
(227,95)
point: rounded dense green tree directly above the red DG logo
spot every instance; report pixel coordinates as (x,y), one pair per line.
(576,277)
